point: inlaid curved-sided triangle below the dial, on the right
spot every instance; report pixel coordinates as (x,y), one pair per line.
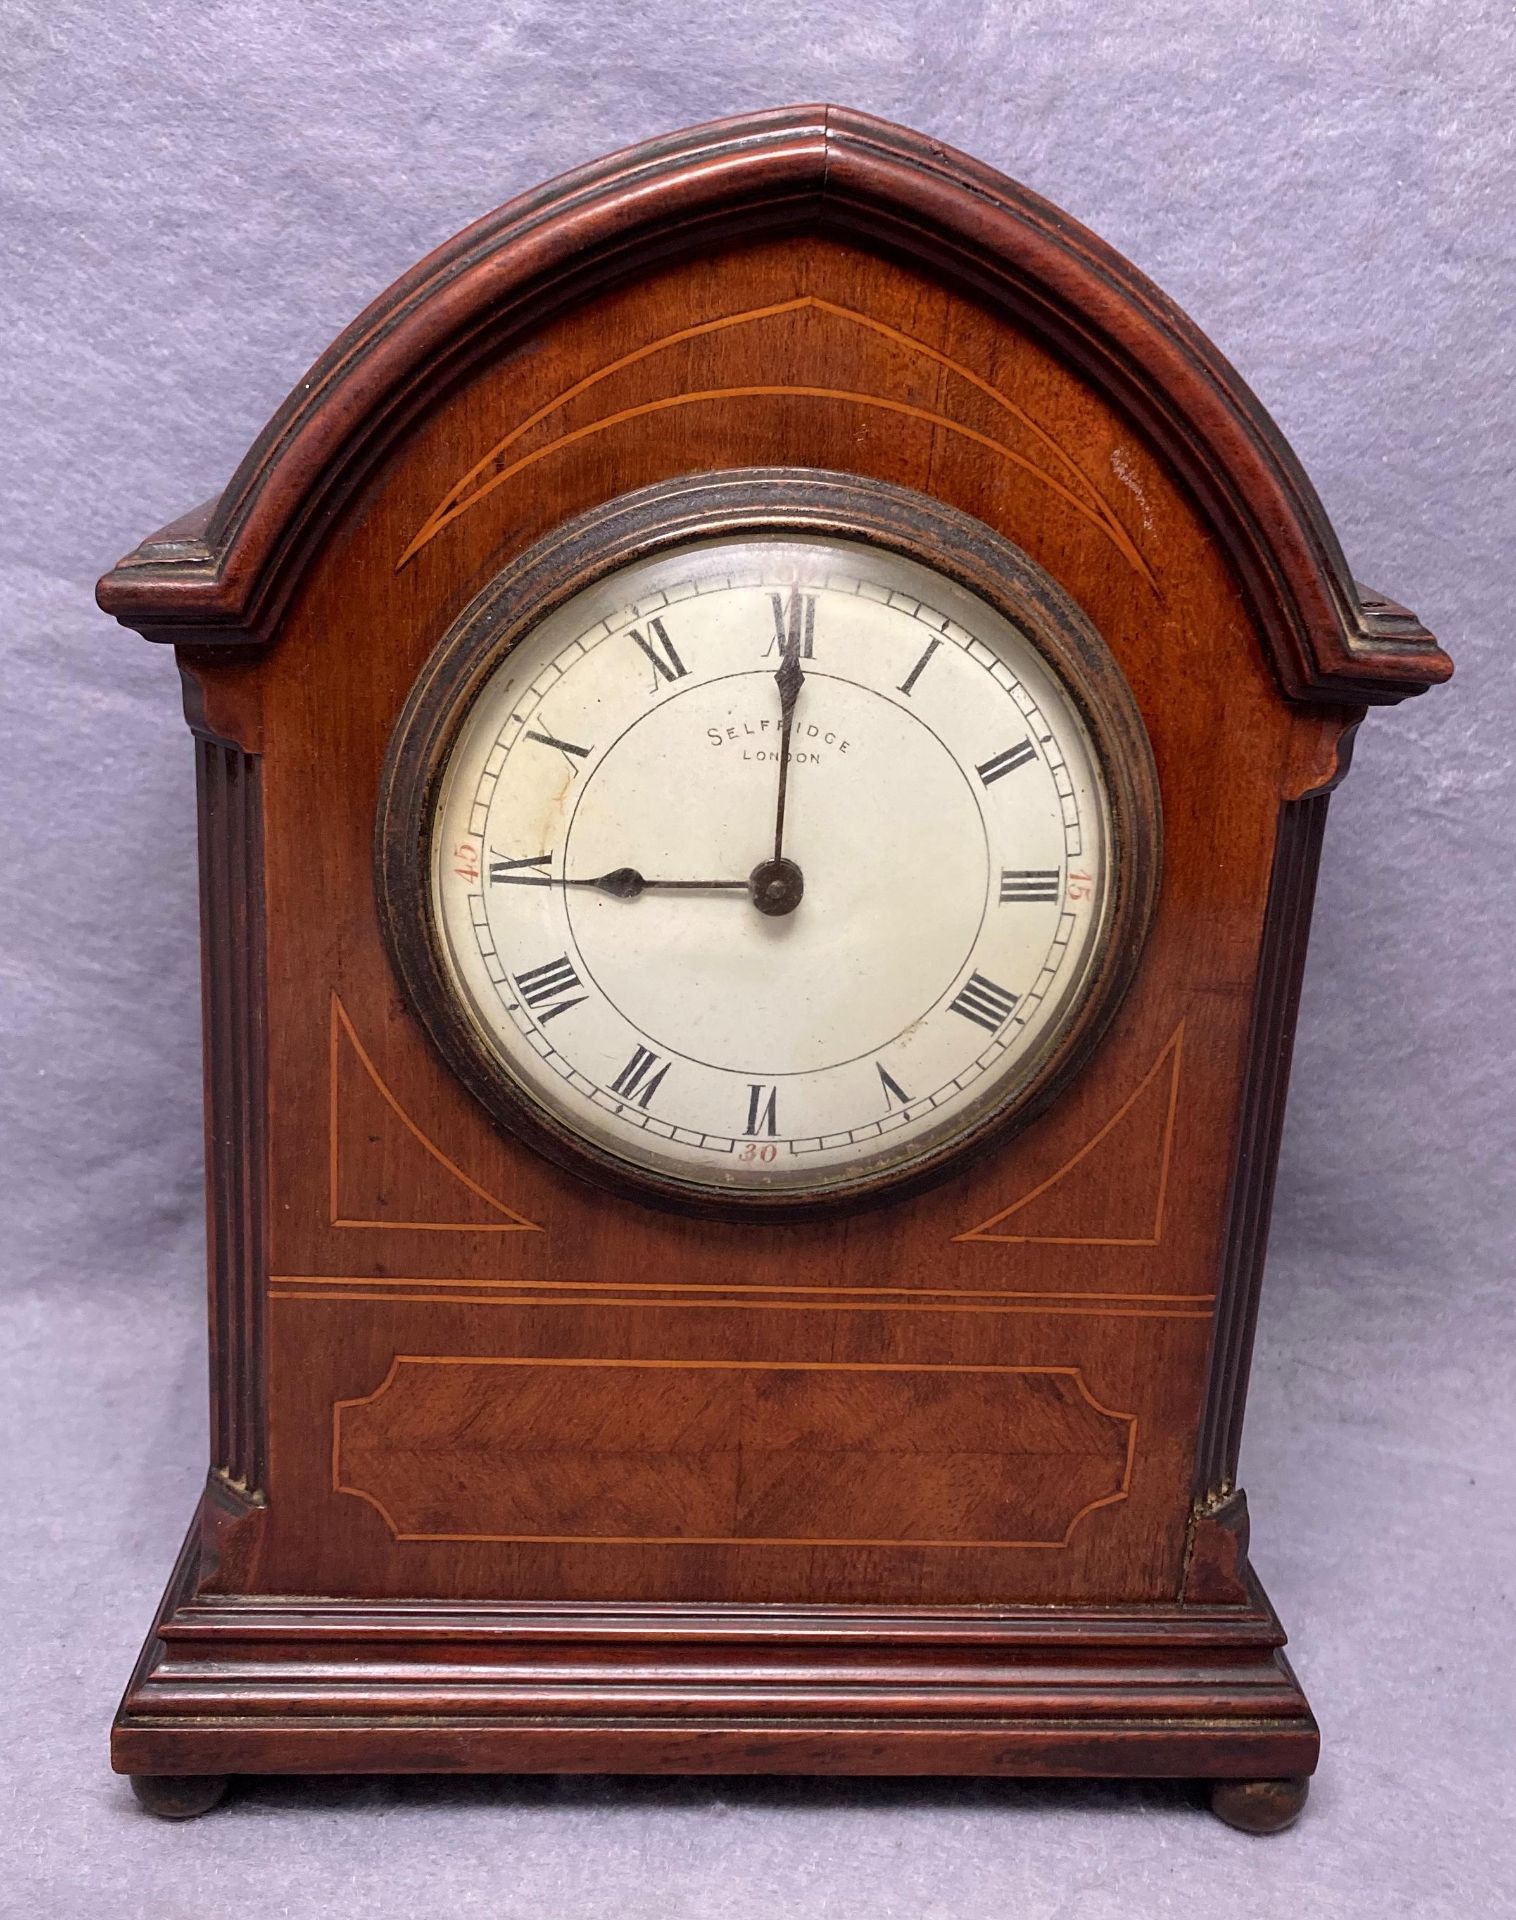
(1083,1205)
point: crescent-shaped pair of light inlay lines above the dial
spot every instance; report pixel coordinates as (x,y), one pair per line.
(481,481)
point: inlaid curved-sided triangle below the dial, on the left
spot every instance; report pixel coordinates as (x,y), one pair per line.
(385,1172)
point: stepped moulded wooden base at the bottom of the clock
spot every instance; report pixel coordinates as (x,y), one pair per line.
(249,1685)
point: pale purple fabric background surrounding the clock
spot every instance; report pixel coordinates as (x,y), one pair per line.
(193,203)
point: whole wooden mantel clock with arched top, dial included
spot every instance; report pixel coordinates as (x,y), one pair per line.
(765,725)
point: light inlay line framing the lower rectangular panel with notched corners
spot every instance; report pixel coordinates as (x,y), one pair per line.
(730,1366)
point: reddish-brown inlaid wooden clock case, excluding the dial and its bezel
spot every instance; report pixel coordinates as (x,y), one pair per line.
(513,1474)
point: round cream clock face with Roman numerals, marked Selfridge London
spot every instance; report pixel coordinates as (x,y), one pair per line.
(767,865)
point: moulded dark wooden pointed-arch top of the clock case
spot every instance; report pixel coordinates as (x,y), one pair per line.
(222,575)
